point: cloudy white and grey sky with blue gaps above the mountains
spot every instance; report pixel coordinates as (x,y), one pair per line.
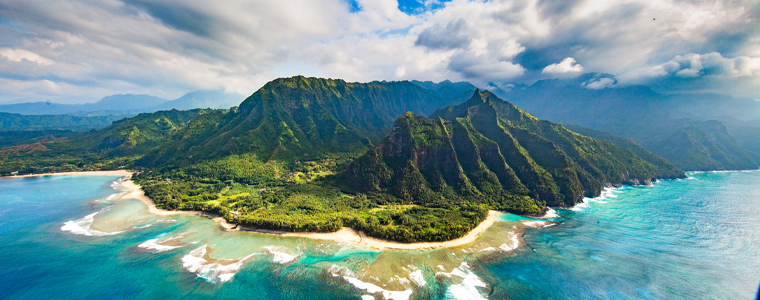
(72,51)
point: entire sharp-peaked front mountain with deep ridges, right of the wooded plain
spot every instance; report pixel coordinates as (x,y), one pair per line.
(487,147)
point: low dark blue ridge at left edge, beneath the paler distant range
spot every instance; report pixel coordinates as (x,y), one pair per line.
(12,122)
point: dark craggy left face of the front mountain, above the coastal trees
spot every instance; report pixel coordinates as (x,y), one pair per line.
(432,162)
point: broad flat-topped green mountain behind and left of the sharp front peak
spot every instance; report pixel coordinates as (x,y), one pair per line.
(298,118)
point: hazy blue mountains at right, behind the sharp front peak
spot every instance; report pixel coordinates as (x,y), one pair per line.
(648,118)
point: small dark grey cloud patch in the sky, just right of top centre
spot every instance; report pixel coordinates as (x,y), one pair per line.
(452,36)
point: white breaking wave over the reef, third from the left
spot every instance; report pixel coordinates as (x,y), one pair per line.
(197,261)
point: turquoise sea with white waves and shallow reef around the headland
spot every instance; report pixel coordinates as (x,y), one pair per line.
(684,239)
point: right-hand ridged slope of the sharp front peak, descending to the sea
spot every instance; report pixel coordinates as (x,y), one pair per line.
(558,166)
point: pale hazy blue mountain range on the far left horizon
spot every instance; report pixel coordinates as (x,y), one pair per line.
(129,104)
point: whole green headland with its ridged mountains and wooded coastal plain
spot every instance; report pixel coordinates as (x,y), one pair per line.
(310,154)
